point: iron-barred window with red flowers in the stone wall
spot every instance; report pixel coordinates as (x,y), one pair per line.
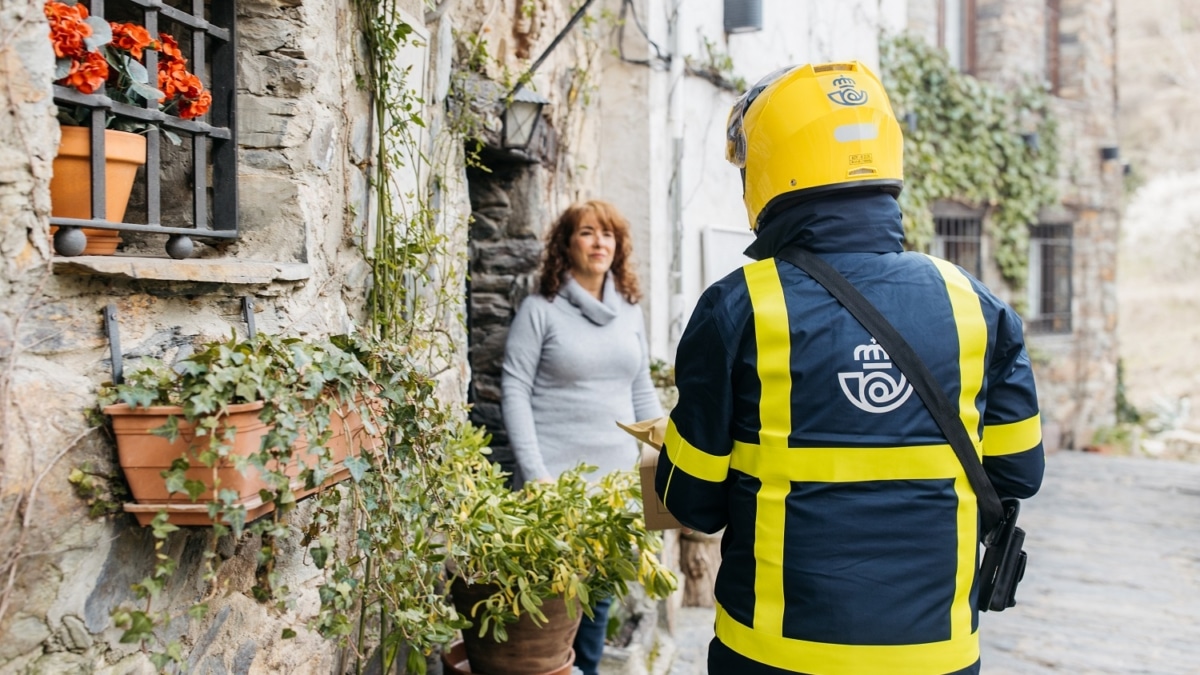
(188,187)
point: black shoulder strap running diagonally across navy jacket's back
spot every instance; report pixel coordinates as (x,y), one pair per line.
(910,365)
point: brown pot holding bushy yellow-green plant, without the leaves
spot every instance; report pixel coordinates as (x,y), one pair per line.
(531,649)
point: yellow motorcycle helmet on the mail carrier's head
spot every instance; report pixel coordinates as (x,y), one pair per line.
(812,130)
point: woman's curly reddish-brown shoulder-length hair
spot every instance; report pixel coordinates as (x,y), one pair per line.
(556,261)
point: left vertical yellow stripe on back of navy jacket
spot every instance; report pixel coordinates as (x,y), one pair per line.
(773,339)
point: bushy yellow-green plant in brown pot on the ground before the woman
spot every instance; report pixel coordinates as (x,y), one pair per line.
(530,563)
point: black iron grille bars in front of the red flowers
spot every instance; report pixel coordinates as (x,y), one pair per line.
(207,33)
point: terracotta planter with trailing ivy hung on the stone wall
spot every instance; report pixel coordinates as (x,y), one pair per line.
(239,427)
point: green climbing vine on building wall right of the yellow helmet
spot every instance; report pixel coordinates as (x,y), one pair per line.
(973,142)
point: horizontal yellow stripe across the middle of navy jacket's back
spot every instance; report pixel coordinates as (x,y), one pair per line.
(845,465)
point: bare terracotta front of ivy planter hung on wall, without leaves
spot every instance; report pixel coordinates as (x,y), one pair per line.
(145,457)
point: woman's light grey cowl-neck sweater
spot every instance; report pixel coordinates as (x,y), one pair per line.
(573,368)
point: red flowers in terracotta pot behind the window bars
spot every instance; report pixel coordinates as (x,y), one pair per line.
(94,56)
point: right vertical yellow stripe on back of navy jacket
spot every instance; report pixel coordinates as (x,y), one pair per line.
(973,331)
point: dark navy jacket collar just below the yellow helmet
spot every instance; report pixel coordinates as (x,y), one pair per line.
(843,224)
